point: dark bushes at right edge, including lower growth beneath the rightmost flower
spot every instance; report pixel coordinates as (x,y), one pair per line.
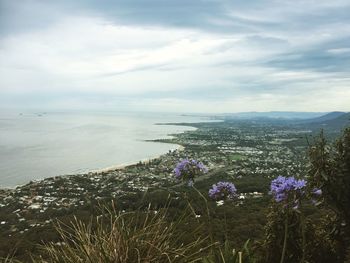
(292,236)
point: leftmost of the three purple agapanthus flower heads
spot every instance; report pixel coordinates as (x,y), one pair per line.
(188,169)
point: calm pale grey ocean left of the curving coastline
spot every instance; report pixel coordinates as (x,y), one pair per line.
(40,145)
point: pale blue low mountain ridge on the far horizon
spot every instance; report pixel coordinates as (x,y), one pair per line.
(288,115)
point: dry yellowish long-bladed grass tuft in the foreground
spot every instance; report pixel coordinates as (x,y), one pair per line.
(142,236)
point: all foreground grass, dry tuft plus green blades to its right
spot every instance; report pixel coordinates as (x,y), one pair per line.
(145,235)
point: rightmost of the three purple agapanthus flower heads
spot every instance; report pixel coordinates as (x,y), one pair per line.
(288,189)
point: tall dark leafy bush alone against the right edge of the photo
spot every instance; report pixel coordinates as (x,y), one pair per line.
(330,171)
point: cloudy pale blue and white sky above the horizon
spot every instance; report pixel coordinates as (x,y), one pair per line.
(200,56)
